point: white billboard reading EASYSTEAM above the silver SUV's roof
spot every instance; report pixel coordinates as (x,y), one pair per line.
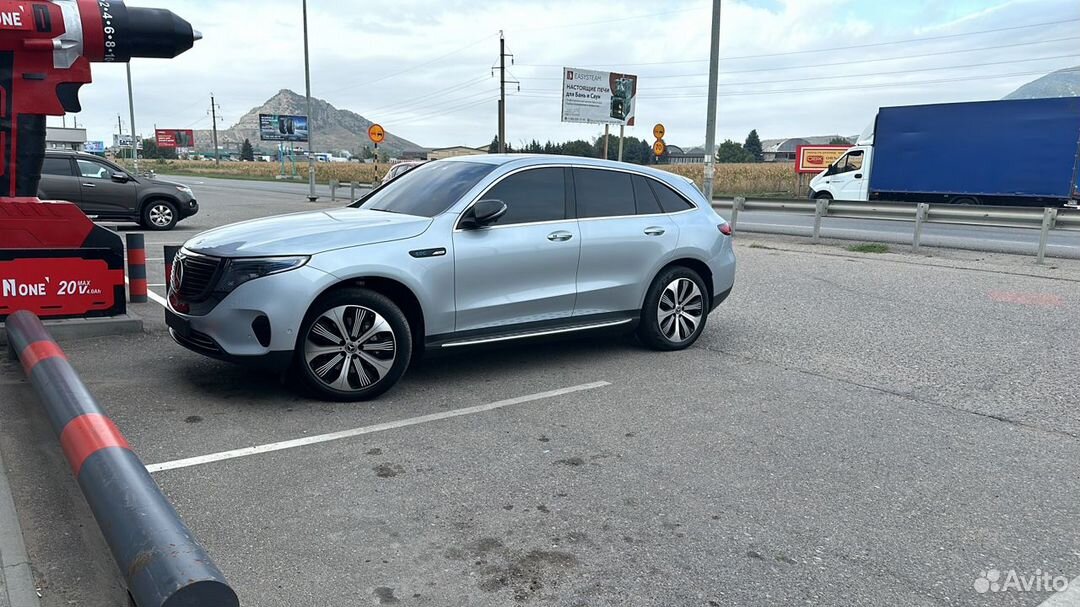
(599,98)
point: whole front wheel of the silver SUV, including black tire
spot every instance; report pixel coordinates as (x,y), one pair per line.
(354,346)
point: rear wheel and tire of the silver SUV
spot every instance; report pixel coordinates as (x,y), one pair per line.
(676,311)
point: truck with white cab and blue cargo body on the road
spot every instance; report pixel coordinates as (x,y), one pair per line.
(1023,153)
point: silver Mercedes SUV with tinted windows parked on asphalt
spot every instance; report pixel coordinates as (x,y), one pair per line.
(455,253)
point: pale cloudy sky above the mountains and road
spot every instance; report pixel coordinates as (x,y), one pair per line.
(424,69)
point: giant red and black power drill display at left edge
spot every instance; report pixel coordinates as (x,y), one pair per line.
(55,261)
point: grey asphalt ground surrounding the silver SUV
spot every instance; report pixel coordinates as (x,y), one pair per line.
(849,430)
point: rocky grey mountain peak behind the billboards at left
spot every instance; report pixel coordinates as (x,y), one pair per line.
(335,130)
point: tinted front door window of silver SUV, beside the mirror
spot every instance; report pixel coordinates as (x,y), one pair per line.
(537,195)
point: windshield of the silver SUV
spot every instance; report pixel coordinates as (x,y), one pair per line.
(428,190)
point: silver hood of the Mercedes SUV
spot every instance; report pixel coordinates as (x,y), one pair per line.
(307,234)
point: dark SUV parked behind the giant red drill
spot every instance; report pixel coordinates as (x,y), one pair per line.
(110,194)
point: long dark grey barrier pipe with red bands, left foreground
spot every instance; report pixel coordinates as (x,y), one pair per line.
(164,564)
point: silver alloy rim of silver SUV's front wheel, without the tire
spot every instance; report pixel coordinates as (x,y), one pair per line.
(350,348)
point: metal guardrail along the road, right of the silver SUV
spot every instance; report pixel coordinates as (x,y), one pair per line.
(1044,220)
